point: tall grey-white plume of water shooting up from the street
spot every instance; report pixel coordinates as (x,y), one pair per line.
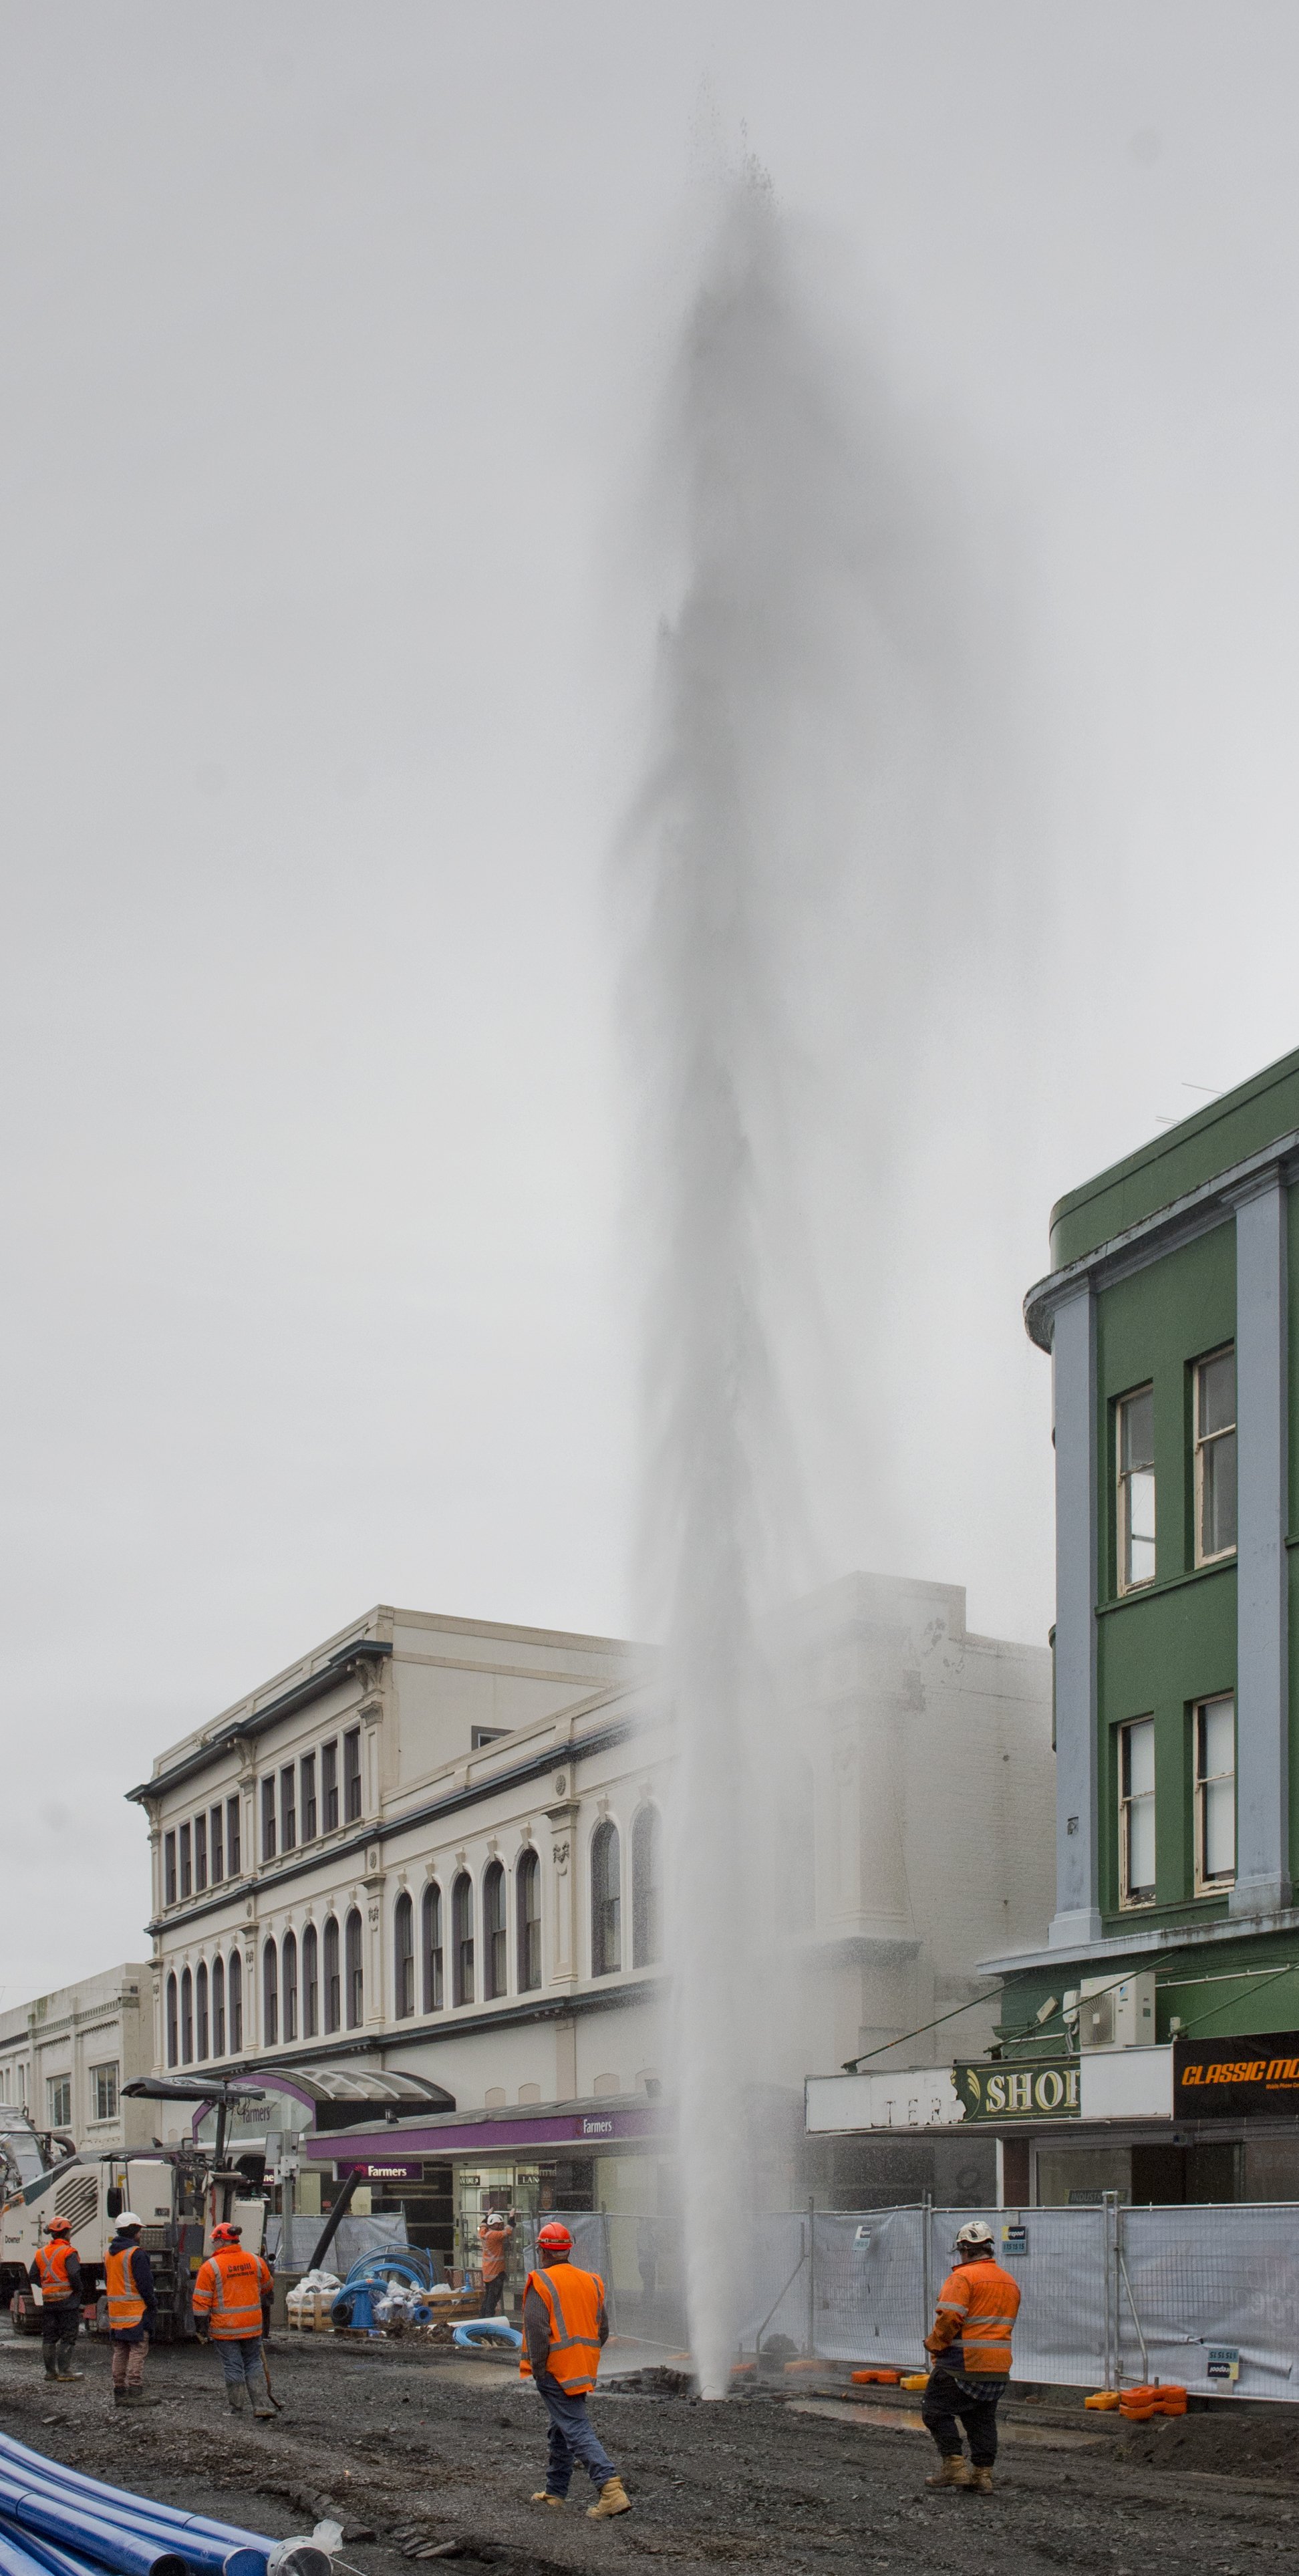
(798,782)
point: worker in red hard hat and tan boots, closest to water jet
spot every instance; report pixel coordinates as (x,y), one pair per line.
(563,2333)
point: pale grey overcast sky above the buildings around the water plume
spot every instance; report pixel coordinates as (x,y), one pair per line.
(329,341)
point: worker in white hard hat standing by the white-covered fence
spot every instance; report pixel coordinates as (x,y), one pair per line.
(970,2345)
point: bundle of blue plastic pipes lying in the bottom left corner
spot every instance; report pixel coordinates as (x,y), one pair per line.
(58,2523)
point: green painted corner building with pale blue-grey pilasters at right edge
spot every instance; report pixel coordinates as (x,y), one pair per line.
(1171,1318)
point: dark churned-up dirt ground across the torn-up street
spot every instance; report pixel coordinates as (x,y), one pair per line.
(424,2454)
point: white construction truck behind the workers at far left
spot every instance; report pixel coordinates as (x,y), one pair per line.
(179,2193)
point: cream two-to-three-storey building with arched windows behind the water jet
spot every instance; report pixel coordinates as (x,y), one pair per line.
(434,1851)
